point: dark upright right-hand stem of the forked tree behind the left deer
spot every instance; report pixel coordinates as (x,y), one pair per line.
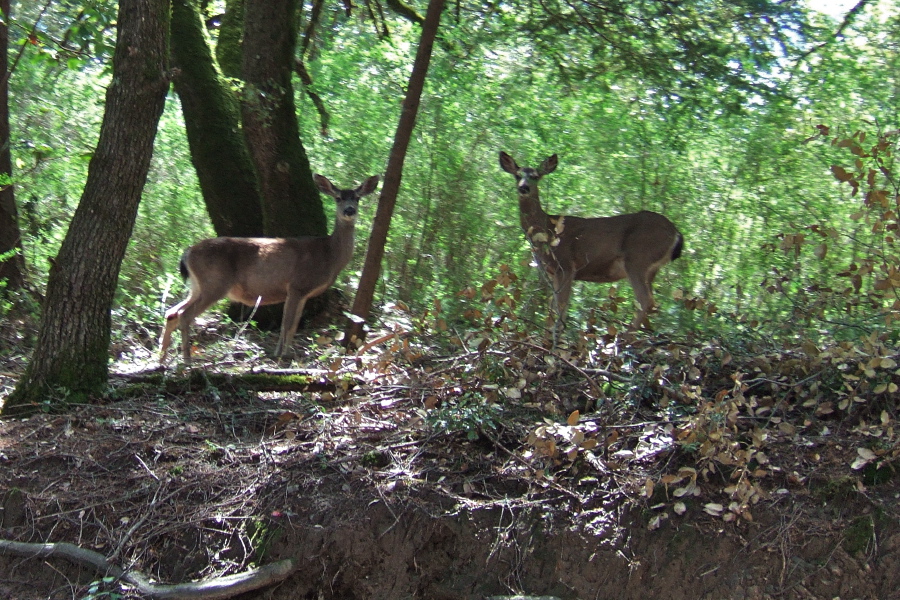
(291,203)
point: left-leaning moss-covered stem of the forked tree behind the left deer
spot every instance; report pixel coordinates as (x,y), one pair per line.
(212,119)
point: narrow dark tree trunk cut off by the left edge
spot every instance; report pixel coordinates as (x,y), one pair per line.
(12,268)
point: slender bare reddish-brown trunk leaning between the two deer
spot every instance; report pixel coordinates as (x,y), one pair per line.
(362,304)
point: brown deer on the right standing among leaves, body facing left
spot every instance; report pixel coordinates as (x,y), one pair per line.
(599,249)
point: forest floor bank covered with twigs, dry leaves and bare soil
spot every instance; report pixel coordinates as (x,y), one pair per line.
(611,467)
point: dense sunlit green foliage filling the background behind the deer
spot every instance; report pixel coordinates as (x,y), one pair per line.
(740,174)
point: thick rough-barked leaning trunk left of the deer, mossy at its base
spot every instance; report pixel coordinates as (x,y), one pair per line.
(70,362)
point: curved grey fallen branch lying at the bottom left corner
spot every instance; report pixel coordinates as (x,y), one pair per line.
(219,588)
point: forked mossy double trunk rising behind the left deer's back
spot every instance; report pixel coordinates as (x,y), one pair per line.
(251,164)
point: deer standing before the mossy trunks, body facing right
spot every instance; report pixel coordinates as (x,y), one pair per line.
(259,271)
